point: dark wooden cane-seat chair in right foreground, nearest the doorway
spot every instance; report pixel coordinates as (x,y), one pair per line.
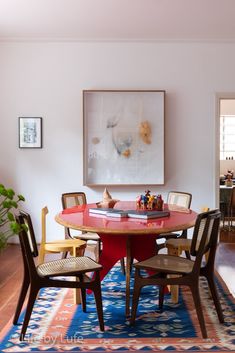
(174,270)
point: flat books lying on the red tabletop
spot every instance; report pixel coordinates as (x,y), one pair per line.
(112,212)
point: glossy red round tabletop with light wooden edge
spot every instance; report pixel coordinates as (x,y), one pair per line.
(79,218)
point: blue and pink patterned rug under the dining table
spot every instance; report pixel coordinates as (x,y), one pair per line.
(57,325)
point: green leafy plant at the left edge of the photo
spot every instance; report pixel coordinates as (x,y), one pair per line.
(8,203)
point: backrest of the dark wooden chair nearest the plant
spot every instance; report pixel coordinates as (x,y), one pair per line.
(27,242)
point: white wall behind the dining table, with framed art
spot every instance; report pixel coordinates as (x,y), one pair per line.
(47,79)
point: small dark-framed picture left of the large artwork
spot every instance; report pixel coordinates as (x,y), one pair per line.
(30,132)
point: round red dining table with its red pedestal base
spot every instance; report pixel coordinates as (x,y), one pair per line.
(124,237)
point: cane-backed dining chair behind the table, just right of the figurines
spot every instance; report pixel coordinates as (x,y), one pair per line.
(183,201)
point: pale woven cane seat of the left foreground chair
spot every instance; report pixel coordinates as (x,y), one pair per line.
(70,266)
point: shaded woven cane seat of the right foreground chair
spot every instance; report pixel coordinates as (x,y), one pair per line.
(166,263)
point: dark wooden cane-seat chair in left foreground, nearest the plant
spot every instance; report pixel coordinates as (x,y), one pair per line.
(45,275)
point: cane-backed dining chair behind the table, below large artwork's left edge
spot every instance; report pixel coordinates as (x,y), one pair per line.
(71,199)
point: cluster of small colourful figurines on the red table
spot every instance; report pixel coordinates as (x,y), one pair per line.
(149,202)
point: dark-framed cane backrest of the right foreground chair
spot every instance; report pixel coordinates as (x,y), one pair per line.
(205,236)
